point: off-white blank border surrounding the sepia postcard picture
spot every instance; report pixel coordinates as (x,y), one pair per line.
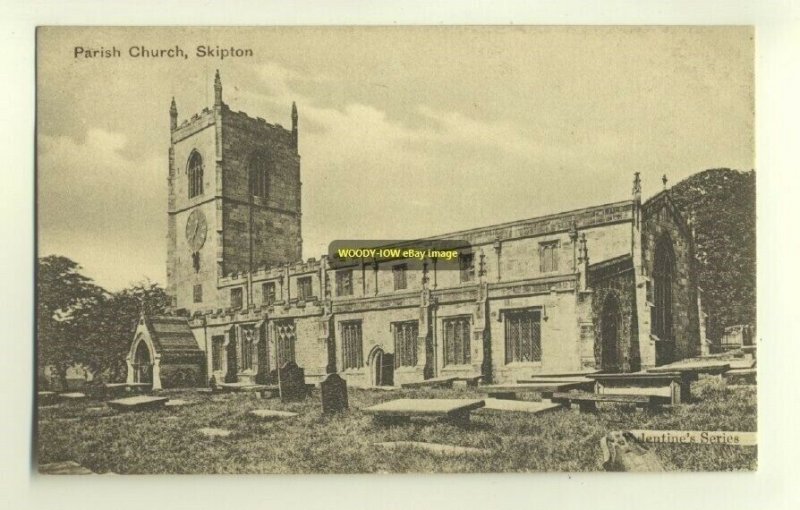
(777,135)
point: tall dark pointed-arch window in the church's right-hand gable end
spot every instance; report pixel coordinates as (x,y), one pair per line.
(662,312)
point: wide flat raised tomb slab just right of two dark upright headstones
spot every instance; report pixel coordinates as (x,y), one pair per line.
(402,410)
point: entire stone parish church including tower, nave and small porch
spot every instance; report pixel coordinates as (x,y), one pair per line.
(610,287)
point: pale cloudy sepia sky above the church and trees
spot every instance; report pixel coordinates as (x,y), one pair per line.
(404,132)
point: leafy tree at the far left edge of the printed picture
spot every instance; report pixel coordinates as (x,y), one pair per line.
(64,298)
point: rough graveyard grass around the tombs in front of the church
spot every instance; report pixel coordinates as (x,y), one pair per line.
(167,440)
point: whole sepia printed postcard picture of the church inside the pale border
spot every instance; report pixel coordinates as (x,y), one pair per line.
(441,249)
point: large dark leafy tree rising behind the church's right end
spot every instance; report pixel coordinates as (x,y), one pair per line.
(723,202)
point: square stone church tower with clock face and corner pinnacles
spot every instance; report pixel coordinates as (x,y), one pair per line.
(234,200)
